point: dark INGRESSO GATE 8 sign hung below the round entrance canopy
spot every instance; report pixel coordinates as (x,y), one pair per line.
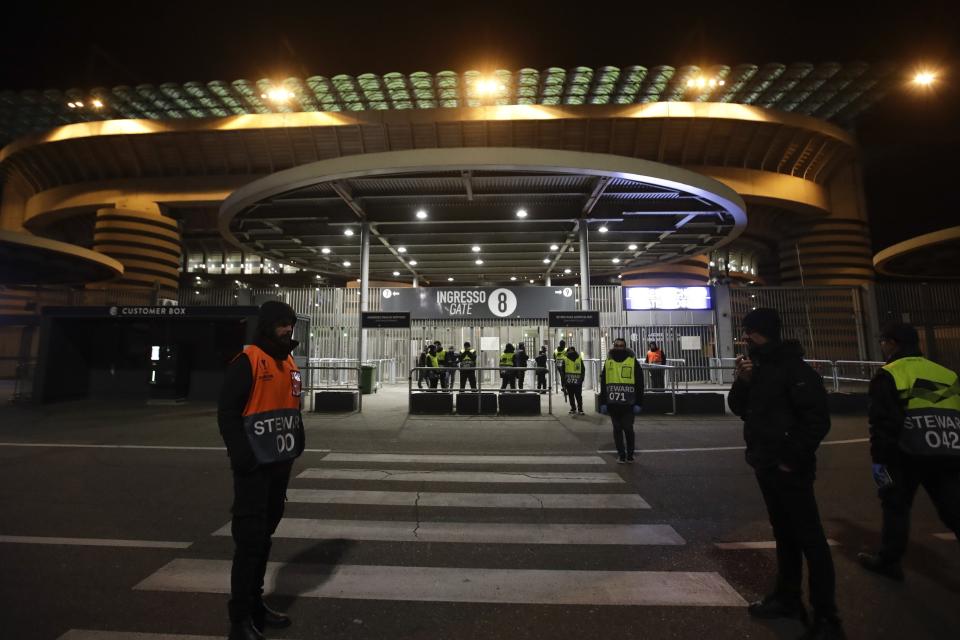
(478,302)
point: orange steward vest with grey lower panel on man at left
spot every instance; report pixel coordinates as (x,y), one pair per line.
(271,417)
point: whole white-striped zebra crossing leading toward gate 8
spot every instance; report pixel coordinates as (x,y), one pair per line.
(539,504)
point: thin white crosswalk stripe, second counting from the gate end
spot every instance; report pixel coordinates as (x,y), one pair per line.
(403,475)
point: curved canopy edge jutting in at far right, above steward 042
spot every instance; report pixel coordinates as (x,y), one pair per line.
(931,255)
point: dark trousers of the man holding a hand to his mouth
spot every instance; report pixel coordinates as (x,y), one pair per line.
(793,512)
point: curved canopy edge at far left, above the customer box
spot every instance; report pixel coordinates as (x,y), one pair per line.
(29,259)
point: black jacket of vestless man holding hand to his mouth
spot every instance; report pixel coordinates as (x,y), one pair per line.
(783,407)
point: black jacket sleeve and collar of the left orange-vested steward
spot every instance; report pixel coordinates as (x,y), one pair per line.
(234,394)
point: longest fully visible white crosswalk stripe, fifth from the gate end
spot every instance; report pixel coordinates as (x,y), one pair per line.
(442,584)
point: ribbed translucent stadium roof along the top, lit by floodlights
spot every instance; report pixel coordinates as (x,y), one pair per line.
(828,91)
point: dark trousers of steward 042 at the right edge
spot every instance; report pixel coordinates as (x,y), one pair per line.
(943,487)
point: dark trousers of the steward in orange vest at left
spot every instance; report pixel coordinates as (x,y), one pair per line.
(258,501)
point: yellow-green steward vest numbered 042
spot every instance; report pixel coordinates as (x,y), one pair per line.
(931,397)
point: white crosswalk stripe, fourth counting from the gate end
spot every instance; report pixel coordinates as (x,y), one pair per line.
(475,532)
